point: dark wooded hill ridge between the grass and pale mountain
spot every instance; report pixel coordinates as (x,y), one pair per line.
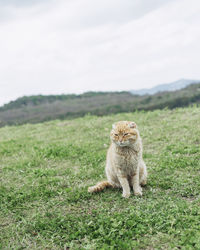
(33,109)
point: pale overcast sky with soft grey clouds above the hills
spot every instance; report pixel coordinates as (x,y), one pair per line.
(74,46)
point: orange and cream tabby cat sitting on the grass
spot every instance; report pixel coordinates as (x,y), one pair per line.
(124,163)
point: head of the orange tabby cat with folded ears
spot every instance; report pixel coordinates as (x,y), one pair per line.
(124,133)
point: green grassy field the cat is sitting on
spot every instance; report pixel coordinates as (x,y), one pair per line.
(45,170)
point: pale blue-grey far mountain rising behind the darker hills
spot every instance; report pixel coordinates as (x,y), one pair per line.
(180,84)
